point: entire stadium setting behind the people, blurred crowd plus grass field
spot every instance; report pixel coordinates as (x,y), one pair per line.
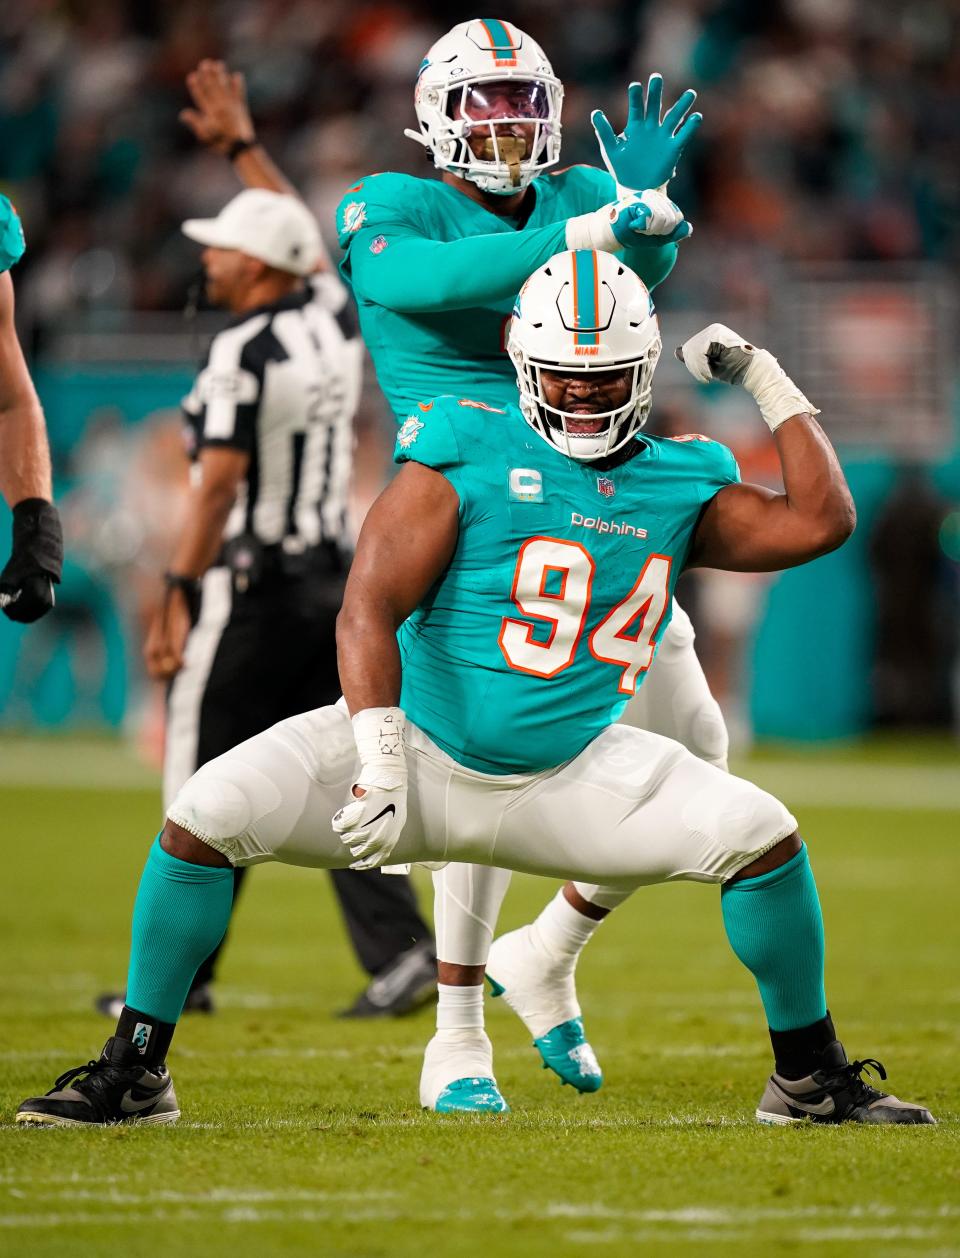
(825,189)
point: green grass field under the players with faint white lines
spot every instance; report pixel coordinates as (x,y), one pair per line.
(303,1135)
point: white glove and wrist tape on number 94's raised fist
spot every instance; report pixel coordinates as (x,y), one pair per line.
(722,354)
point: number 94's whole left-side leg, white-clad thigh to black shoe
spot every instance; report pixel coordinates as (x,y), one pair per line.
(271,798)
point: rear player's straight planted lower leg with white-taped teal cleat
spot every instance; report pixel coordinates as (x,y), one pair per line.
(459,1065)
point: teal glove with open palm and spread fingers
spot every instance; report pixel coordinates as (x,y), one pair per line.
(647,153)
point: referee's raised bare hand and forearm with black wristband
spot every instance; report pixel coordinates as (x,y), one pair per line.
(222,120)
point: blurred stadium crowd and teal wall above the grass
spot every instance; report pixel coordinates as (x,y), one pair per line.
(825,193)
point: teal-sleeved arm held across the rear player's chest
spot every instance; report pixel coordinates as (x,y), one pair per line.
(415,274)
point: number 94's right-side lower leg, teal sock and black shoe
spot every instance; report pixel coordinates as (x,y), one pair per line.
(772,914)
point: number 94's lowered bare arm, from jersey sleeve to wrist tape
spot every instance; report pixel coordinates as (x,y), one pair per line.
(406,544)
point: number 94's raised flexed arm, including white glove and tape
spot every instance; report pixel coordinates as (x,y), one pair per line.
(751,529)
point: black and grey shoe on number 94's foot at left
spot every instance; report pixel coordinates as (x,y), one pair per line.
(116,1089)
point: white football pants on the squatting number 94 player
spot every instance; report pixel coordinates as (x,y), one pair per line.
(633,808)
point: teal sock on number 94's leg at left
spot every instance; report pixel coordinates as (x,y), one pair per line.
(181,915)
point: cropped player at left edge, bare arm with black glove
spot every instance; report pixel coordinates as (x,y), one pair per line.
(37,558)
